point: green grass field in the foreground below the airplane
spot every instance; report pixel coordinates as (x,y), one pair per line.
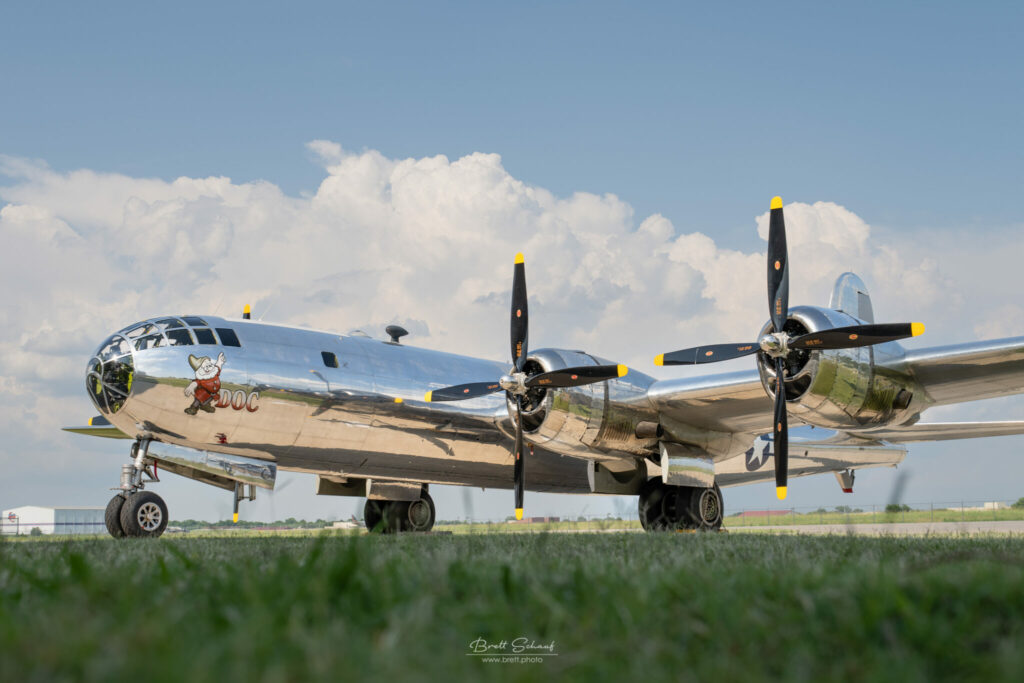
(618,608)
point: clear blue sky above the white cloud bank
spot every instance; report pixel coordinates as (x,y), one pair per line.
(909,112)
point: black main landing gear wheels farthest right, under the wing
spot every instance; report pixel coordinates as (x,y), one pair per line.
(665,508)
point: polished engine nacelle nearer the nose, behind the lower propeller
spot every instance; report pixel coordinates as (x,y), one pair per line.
(589,421)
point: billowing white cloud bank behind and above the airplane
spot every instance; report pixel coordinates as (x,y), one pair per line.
(428,243)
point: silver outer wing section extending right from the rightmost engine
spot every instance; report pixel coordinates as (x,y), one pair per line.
(969,372)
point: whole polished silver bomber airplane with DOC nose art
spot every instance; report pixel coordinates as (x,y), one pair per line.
(231,402)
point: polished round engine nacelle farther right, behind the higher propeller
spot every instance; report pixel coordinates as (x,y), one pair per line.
(836,389)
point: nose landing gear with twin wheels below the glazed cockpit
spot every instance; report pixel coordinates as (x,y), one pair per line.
(134,513)
